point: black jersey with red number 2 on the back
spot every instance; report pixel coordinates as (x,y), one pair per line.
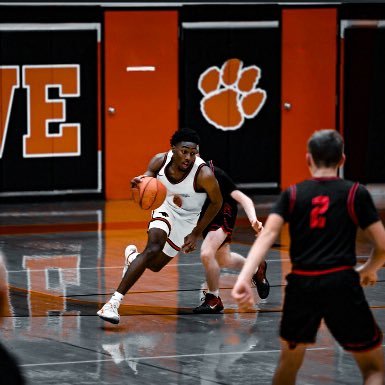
(323,216)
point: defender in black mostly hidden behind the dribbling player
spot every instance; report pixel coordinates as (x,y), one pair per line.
(215,249)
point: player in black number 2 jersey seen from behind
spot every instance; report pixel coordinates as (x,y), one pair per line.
(323,215)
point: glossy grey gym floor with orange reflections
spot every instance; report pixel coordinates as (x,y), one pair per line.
(64,260)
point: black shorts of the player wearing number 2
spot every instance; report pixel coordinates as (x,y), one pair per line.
(339,300)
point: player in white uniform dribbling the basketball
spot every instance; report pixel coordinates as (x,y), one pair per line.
(175,226)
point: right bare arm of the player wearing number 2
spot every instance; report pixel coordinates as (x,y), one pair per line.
(368,271)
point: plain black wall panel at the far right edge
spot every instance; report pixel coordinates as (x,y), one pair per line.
(364,113)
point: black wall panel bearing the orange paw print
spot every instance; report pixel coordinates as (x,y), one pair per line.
(247,148)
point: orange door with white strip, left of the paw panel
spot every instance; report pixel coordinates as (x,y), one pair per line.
(141,86)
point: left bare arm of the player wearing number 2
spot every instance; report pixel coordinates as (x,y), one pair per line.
(242,291)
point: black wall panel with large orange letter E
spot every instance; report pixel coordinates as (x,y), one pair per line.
(55,83)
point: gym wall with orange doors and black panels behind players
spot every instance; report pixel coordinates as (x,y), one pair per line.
(89,94)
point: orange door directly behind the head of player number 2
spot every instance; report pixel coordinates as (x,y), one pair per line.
(309,67)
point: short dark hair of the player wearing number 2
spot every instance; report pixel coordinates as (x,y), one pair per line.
(326,147)
